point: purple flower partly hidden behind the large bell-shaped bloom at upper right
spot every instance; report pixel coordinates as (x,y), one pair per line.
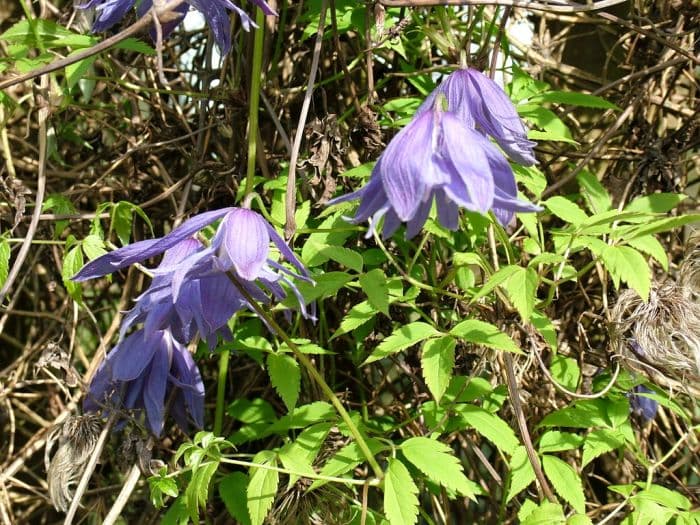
(482,104)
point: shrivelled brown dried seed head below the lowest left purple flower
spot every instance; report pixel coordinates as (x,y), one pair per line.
(77,437)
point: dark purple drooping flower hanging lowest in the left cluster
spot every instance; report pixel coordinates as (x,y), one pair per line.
(141,372)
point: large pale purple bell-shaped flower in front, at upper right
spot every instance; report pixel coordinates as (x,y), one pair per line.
(436,157)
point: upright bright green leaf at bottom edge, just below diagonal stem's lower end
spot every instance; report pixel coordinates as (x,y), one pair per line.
(400,494)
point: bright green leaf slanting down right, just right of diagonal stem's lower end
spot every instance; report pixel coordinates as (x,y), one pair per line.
(437,461)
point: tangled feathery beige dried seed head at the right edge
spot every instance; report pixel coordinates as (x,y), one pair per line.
(660,339)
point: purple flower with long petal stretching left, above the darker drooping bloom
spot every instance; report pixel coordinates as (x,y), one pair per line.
(191,286)
